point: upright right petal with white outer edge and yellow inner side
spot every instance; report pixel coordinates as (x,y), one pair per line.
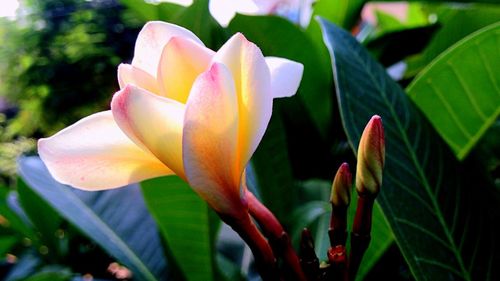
(253,87)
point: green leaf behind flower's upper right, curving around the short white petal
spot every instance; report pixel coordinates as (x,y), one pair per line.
(316,85)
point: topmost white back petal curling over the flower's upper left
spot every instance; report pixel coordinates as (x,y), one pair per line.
(151,40)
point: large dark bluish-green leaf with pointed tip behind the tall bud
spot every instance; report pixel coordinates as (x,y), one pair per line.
(440,216)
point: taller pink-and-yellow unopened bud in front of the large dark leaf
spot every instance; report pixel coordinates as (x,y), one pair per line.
(371,158)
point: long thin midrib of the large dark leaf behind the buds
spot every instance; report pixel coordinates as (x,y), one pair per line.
(414,159)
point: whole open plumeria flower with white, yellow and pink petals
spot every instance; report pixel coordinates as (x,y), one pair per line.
(181,109)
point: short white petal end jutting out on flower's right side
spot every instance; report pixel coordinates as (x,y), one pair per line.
(285,76)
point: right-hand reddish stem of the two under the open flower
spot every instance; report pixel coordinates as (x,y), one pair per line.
(280,241)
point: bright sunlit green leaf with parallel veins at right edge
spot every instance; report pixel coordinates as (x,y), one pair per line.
(459,91)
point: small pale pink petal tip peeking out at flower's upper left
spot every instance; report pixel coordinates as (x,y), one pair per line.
(129,74)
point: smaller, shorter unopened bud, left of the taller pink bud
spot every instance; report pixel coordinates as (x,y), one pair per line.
(341,187)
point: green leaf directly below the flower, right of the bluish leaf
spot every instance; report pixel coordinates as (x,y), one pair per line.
(185,222)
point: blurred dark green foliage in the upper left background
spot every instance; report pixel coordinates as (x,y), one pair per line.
(58,62)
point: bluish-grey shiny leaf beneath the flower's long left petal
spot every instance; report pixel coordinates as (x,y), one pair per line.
(129,234)
